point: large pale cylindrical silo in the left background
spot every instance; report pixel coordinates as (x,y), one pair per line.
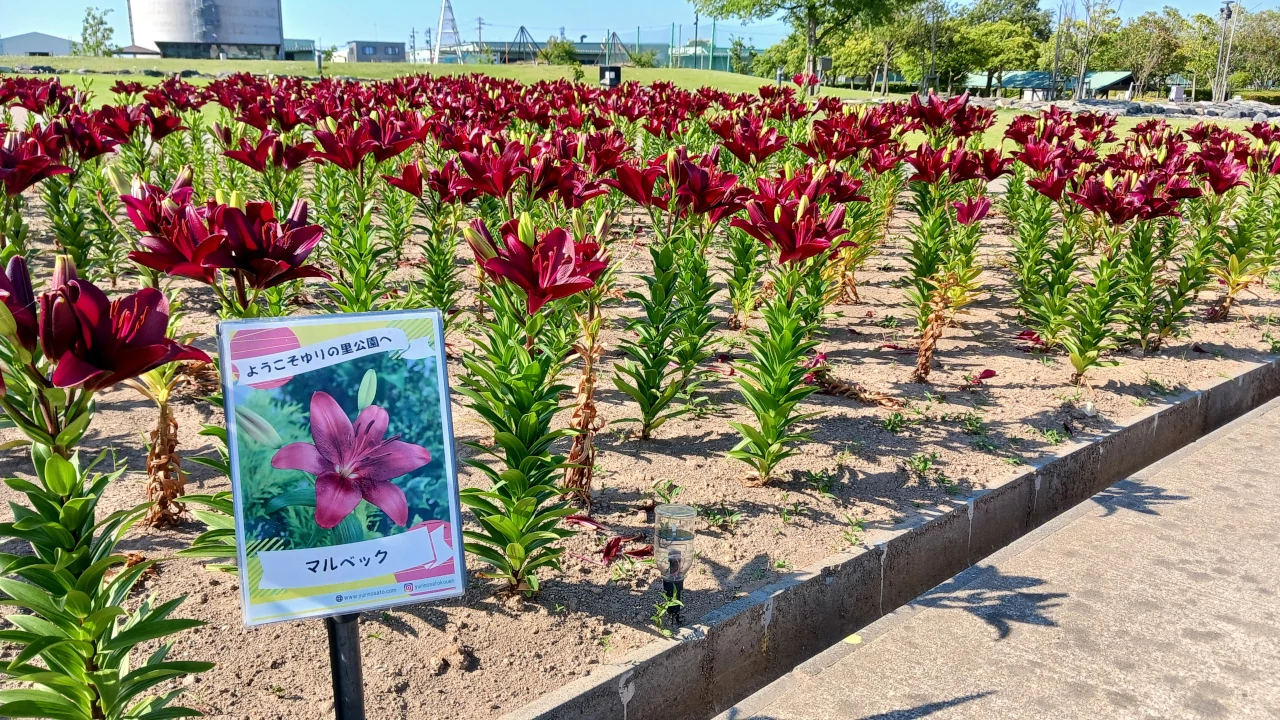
(208,29)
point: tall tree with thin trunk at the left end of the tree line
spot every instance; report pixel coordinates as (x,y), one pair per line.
(819,20)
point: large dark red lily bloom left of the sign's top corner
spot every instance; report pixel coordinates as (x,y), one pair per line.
(98,343)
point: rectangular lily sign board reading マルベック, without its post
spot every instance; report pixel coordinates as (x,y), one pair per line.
(344,473)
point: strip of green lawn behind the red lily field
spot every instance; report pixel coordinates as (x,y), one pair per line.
(687,79)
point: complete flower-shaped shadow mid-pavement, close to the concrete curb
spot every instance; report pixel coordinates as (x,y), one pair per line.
(999,600)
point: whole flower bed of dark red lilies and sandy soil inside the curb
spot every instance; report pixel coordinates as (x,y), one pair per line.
(804,321)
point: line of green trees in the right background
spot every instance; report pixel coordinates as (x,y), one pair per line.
(935,44)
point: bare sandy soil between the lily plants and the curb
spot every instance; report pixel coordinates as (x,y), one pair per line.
(867,467)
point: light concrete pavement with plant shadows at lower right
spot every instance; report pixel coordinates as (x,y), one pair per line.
(1155,600)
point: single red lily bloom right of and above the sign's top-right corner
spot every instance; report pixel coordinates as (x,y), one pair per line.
(546,272)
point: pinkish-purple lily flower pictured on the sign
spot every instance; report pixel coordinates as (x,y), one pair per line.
(353,462)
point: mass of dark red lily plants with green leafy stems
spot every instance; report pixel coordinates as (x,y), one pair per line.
(506,207)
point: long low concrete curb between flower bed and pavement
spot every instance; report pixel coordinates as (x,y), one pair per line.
(744,646)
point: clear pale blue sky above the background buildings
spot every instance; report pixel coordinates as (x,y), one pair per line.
(333,22)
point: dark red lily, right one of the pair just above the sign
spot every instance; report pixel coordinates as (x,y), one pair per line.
(264,252)
